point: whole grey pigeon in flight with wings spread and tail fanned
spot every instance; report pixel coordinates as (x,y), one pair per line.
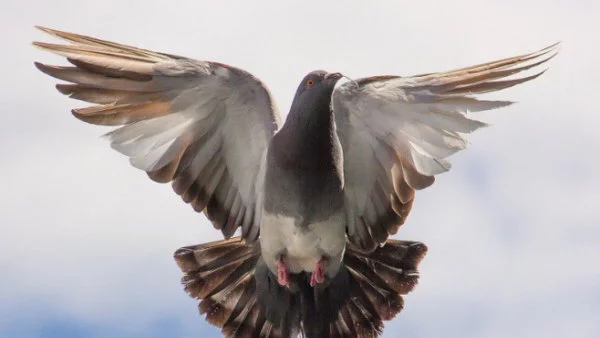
(314,199)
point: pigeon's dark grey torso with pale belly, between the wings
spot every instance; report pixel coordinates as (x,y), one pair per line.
(303,219)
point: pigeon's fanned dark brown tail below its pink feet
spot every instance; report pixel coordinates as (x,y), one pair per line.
(241,296)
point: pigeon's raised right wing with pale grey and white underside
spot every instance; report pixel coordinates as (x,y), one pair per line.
(396,133)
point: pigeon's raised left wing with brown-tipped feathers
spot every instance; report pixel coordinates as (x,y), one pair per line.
(203,126)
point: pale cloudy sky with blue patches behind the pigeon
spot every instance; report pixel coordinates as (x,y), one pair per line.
(513,229)
